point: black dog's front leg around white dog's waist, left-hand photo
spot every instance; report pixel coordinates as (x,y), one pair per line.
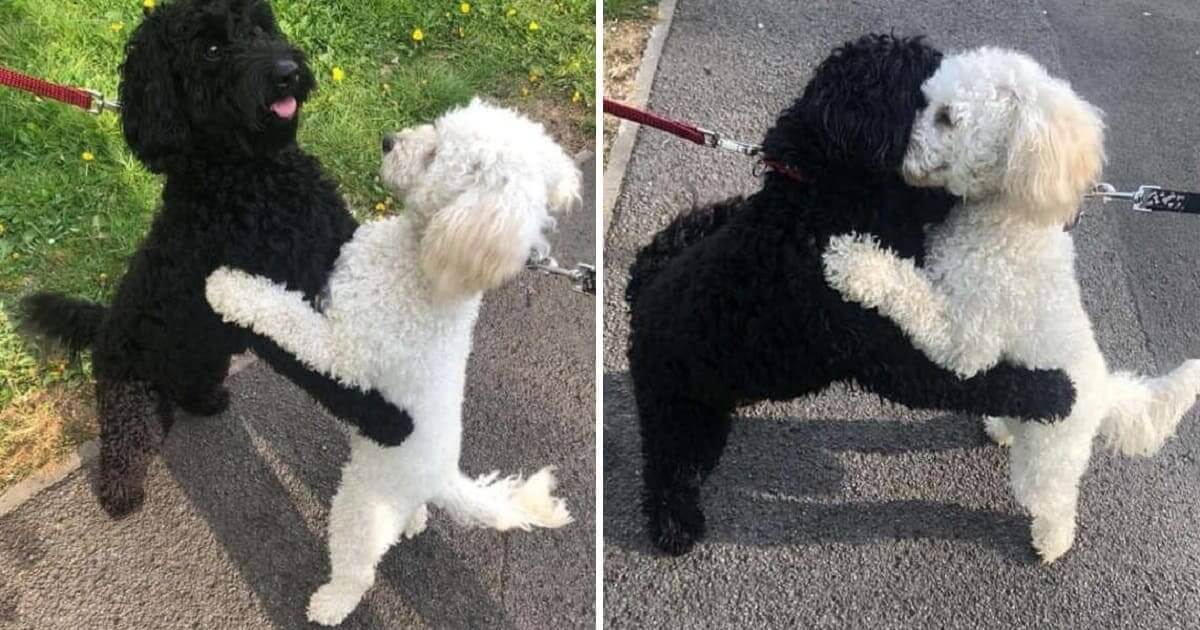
(368,411)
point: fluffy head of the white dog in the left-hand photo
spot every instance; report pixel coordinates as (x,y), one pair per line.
(485,181)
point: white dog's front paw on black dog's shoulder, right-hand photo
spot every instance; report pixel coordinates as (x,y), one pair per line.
(859,269)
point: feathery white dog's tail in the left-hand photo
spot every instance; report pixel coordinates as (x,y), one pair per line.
(506,503)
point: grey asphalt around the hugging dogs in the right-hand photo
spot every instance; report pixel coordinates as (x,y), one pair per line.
(843,512)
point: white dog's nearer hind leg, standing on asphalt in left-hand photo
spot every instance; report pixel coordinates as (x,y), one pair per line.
(368,517)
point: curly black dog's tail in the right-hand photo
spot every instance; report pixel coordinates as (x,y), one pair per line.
(683,232)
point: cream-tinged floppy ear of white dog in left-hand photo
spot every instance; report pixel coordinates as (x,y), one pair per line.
(477,243)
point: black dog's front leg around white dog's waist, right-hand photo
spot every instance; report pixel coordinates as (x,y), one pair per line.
(903,374)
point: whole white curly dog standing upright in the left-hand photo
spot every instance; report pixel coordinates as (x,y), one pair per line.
(478,188)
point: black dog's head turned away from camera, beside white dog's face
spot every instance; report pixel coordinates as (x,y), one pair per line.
(857,112)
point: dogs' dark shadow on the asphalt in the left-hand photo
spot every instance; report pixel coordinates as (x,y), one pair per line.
(263,476)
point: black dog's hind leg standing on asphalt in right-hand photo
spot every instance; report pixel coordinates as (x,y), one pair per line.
(682,443)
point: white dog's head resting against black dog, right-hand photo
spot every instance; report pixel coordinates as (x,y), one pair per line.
(998,125)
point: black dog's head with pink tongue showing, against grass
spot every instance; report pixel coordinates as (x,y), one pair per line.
(211,79)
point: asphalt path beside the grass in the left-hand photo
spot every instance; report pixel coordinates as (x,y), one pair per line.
(233,537)
